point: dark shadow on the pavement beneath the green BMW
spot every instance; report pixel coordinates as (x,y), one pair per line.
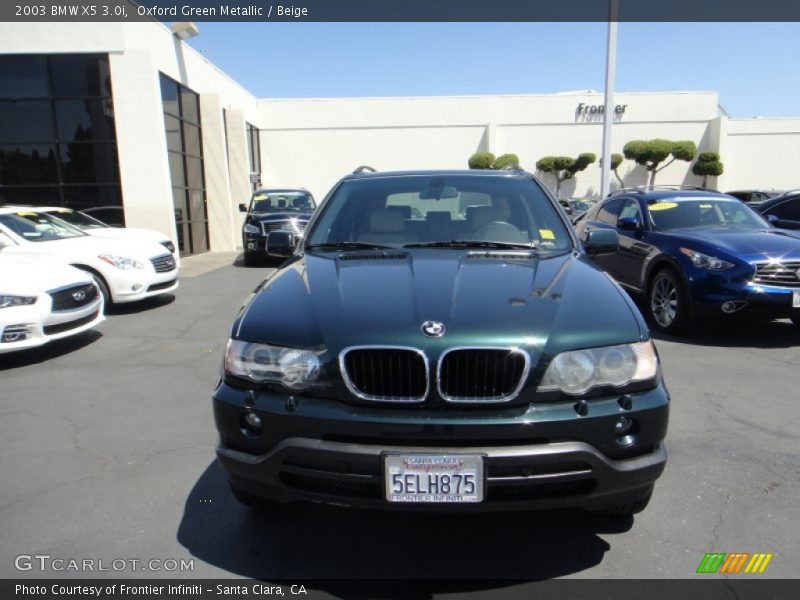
(332,544)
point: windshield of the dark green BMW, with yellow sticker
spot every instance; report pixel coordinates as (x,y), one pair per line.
(453,210)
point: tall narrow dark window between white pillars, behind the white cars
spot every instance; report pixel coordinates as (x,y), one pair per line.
(185,156)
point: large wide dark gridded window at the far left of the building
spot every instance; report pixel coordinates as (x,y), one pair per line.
(57,138)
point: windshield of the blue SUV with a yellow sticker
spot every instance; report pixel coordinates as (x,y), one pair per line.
(683,213)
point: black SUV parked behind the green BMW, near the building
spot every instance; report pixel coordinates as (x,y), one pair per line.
(273,210)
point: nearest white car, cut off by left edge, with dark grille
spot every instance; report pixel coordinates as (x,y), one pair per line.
(41,301)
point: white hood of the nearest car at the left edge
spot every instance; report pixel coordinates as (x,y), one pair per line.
(32,277)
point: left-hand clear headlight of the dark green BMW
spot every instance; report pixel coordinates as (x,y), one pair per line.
(294,368)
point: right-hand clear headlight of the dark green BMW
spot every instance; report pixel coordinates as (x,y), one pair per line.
(578,371)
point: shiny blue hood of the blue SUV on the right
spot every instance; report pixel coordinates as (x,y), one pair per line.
(751,244)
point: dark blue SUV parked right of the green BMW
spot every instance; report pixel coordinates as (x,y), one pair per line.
(694,253)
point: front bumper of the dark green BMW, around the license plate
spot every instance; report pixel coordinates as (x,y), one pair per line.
(536,457)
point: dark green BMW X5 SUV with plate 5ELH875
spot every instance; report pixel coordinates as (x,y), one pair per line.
(441,340)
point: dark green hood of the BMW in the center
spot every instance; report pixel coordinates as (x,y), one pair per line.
(382,298)
